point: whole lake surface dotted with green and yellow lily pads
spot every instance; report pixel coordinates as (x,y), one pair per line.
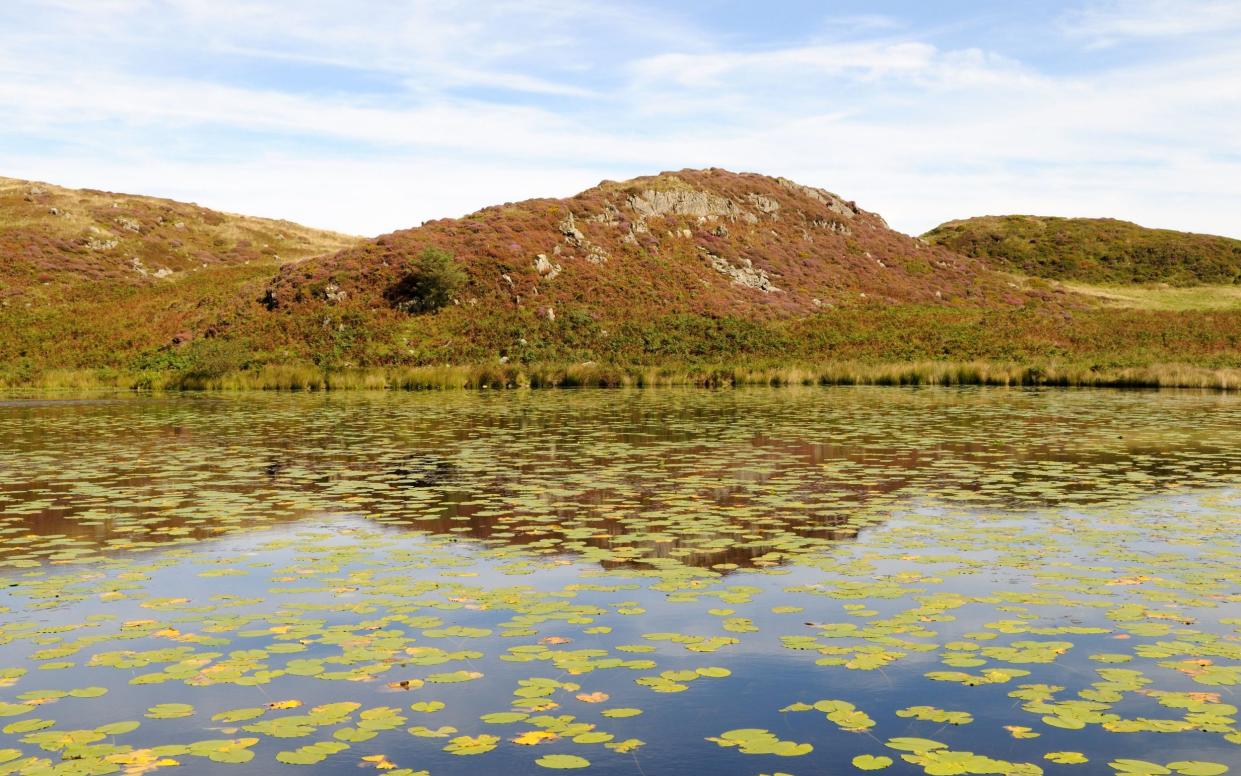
(650,583)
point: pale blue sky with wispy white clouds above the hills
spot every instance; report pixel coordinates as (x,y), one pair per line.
(370,116)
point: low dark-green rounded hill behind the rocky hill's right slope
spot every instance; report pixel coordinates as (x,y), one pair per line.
(1094,250)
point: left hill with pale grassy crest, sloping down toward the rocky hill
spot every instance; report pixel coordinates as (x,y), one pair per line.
(92,279)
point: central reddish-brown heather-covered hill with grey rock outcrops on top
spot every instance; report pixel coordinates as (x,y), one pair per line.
(697,241)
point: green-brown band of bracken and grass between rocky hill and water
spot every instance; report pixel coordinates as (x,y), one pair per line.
(460,348)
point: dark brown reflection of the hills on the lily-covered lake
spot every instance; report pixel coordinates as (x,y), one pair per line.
(697,477)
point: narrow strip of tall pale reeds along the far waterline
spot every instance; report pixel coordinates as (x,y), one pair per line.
(308,378)
